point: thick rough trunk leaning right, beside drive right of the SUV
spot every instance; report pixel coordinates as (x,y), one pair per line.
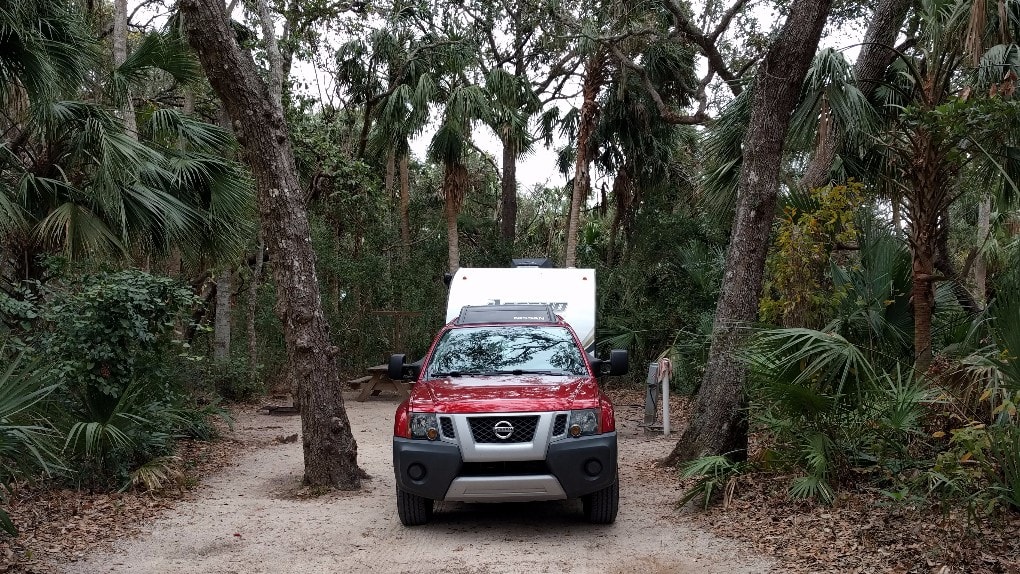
(719,424)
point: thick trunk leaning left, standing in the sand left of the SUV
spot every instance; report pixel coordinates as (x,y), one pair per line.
(330,448)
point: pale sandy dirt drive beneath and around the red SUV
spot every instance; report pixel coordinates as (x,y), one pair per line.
(247,519)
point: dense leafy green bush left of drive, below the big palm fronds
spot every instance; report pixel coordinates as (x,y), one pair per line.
(117,402)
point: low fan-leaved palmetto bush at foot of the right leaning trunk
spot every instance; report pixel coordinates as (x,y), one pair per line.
(829,412)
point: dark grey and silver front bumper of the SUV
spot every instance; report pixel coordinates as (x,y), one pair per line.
(573,468)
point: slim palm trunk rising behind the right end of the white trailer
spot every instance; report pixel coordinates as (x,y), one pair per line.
(594,76)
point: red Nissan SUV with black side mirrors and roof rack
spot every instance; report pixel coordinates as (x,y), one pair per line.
(506,407)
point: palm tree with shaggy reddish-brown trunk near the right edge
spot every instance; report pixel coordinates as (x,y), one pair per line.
(944,127)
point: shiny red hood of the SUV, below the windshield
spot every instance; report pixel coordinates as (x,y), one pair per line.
(507,394)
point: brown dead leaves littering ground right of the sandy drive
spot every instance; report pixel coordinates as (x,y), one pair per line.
(861,533)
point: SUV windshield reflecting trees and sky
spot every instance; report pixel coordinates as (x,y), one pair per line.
(507,350)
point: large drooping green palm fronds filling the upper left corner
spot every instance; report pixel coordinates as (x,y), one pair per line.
(74,181)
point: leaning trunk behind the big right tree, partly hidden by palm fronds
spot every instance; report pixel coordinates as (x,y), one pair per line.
(874,61)
